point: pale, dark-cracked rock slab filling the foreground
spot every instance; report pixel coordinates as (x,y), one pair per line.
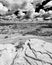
(32,52)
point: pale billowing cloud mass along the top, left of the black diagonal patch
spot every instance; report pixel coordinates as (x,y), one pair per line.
(14,5)
